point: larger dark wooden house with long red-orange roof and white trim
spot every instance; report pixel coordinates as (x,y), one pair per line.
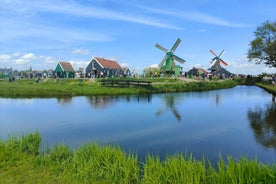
(100,67)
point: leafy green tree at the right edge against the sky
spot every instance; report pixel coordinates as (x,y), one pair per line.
(263,47)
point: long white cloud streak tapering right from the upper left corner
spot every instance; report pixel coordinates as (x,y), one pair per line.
(76,9)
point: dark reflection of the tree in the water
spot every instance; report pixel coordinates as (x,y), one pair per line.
(263,123)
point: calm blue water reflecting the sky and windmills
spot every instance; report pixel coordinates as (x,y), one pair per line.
(240,121)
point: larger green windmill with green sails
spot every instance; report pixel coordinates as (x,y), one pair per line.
(167,65)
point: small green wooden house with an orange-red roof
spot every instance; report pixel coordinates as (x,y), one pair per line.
(64,70)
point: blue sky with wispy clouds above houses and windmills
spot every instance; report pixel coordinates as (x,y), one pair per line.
(39,34)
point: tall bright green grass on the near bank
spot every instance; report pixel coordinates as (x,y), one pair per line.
(21,161)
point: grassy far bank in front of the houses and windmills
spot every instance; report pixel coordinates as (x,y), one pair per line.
(28,88)
